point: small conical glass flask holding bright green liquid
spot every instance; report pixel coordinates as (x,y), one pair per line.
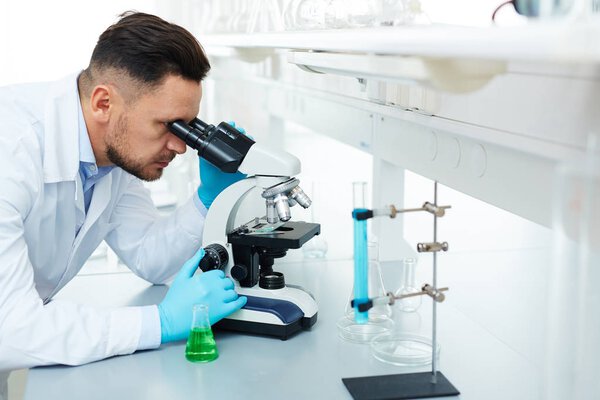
(201,345)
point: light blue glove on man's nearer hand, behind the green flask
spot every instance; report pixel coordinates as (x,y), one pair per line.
(211,288)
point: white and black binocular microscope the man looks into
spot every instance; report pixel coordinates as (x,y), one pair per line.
(242,239)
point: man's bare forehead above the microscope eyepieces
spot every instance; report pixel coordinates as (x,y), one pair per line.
(174,98)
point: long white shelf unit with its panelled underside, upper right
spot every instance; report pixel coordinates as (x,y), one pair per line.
(507,105)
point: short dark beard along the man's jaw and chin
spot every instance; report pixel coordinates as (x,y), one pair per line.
(119,152)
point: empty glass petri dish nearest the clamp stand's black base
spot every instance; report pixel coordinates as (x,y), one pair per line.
(403,349)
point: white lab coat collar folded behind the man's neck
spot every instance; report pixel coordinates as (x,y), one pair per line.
(61,136)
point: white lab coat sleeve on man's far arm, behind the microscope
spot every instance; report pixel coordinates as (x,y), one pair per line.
(154,247)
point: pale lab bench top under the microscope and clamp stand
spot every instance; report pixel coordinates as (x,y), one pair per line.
(312,363)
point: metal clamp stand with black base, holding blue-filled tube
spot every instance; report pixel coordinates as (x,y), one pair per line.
(414,385)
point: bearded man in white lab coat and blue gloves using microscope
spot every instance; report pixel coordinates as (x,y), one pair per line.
(72,154)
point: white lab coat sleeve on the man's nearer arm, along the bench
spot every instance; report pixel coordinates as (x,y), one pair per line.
(33,333)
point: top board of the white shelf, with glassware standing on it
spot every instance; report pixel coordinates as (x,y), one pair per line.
(539,42)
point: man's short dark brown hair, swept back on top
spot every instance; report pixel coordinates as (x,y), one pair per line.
(149,48)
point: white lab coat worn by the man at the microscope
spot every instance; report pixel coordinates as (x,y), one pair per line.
(41,202)
